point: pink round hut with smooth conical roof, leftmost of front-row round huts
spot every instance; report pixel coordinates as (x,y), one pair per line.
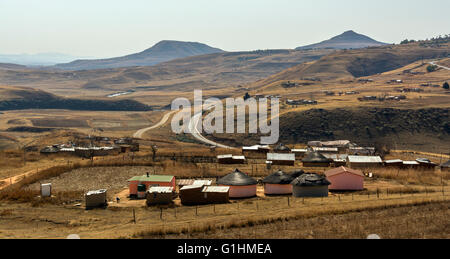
(241,185)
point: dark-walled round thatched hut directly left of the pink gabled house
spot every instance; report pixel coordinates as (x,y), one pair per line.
(310,185)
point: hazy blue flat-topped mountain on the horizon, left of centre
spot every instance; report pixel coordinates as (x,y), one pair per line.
(161,52)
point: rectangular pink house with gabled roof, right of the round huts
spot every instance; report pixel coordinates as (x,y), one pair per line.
(345,179)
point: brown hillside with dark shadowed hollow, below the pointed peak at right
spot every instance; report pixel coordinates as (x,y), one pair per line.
(348,64)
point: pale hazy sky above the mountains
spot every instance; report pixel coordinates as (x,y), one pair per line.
(107,28)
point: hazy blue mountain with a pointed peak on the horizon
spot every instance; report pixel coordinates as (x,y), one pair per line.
(347,40)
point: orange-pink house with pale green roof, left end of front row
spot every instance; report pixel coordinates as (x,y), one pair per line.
(149,181)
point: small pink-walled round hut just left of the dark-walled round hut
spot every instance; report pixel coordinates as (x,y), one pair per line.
(278,183)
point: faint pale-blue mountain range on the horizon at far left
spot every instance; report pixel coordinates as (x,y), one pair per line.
(40,59)
